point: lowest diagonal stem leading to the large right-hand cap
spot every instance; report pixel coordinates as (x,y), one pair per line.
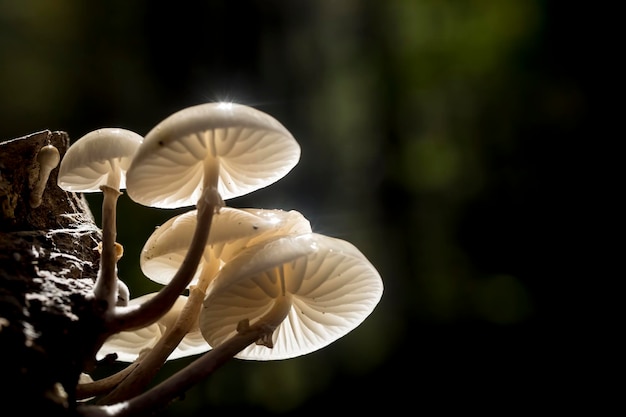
(162,394)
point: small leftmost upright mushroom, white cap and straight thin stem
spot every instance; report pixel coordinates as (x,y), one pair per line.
(98,161)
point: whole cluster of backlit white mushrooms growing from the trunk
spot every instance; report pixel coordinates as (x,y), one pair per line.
(250,283)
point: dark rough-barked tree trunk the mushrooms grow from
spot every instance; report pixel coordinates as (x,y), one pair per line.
(48,326)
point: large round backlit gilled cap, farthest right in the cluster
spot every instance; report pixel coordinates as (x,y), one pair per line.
(331,285)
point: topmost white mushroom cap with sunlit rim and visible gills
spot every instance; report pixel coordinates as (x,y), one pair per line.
(250,148)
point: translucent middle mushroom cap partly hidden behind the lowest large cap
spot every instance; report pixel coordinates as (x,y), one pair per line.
(231,230)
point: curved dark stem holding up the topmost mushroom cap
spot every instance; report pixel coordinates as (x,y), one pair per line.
(129,318)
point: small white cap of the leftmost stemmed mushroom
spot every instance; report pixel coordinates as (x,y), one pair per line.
(101,157)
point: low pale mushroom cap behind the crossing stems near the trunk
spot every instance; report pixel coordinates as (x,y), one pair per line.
(128,344)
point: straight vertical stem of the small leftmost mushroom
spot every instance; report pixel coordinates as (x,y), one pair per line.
(106,283)
